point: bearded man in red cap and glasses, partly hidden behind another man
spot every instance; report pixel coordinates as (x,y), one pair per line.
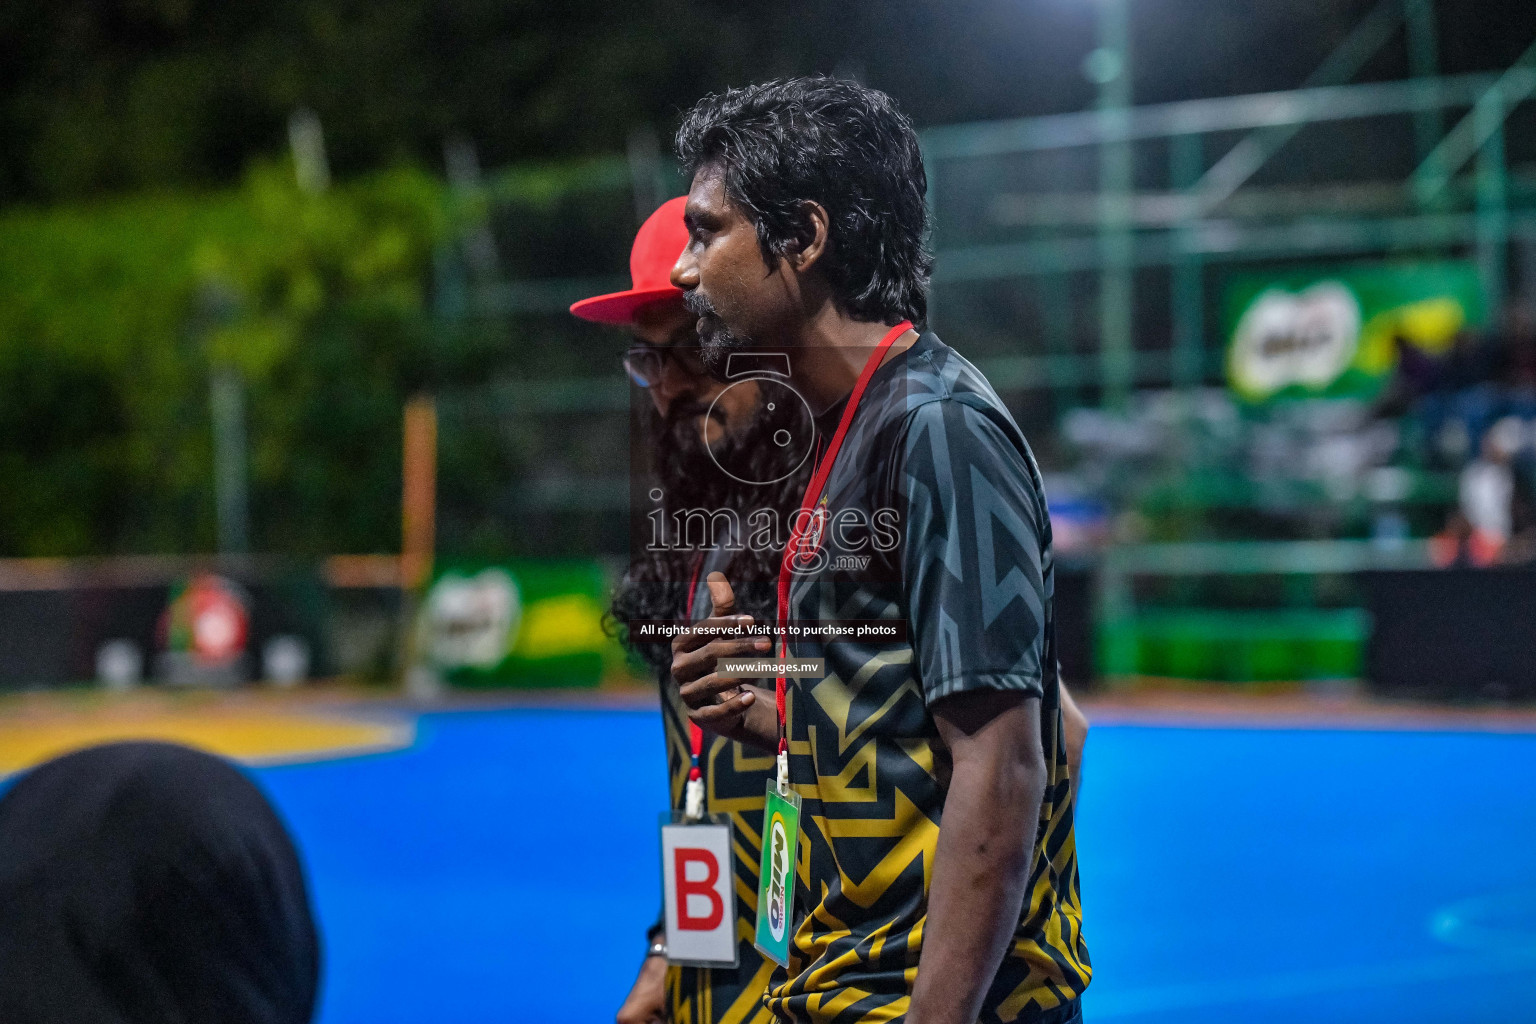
(698,428)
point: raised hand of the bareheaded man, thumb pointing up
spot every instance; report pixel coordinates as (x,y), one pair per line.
(715,704)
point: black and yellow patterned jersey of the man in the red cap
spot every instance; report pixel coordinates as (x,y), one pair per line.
(735,782)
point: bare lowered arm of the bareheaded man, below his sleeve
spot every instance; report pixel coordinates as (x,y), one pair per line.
(981,876)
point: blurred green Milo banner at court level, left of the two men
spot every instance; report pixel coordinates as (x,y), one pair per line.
(518,624)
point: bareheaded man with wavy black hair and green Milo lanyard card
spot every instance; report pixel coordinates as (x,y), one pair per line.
(939,876)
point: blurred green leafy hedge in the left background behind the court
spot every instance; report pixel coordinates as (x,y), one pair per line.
(113,317)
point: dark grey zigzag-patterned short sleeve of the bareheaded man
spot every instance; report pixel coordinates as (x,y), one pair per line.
(973,552)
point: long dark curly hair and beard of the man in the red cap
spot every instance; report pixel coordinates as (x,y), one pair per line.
(655,587)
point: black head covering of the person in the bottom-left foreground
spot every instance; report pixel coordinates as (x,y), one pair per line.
(150,884)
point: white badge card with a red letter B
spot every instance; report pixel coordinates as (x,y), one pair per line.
(700,888)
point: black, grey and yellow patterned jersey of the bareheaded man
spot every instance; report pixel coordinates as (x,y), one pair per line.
(938,521)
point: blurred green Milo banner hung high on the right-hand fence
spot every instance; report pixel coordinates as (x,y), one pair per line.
(1334,332)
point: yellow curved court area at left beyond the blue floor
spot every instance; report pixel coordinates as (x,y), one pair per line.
(251,736)
